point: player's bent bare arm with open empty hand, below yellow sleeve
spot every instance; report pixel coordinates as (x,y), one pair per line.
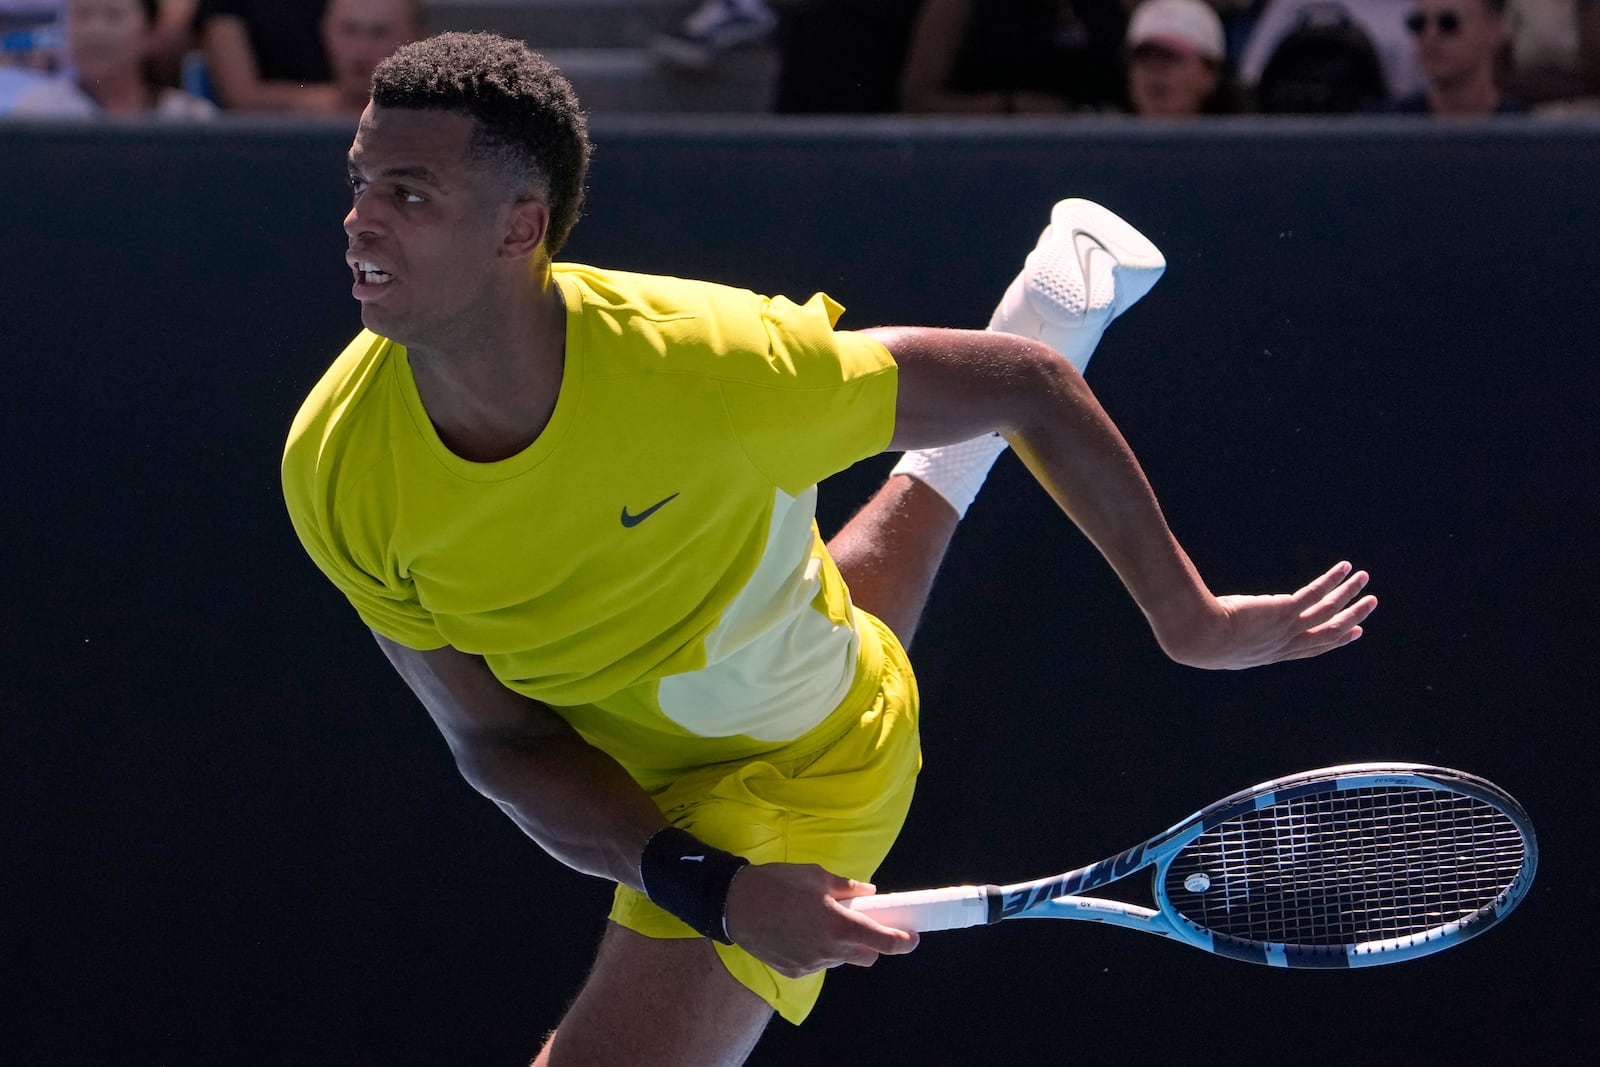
(958,385)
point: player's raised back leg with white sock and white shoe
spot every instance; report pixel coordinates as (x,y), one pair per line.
(1087,268)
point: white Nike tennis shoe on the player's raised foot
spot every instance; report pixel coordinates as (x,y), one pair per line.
(1087,268)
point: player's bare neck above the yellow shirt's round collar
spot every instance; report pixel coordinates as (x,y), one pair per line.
(492,394)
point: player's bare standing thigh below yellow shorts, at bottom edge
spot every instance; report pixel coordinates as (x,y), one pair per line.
(662,1002)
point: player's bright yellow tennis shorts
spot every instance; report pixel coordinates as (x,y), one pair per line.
(838,797)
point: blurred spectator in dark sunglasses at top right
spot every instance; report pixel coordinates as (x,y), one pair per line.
(1460,44)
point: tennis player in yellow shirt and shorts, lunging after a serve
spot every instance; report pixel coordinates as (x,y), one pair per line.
(577,510)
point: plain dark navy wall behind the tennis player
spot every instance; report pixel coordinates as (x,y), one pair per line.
(231,837)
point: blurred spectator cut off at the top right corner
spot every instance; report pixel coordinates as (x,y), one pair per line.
(1554,50)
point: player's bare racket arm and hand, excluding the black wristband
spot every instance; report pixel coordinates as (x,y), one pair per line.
(583,809)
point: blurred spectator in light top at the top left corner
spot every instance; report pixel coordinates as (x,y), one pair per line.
(110,46)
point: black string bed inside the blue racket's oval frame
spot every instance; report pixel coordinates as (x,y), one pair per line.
(1348,868)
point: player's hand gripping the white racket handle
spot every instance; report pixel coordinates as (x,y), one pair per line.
(788,916)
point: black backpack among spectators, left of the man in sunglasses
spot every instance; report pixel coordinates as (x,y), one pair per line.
(1324,66)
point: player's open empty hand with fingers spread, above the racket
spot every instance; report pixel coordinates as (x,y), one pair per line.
(1238,631)
